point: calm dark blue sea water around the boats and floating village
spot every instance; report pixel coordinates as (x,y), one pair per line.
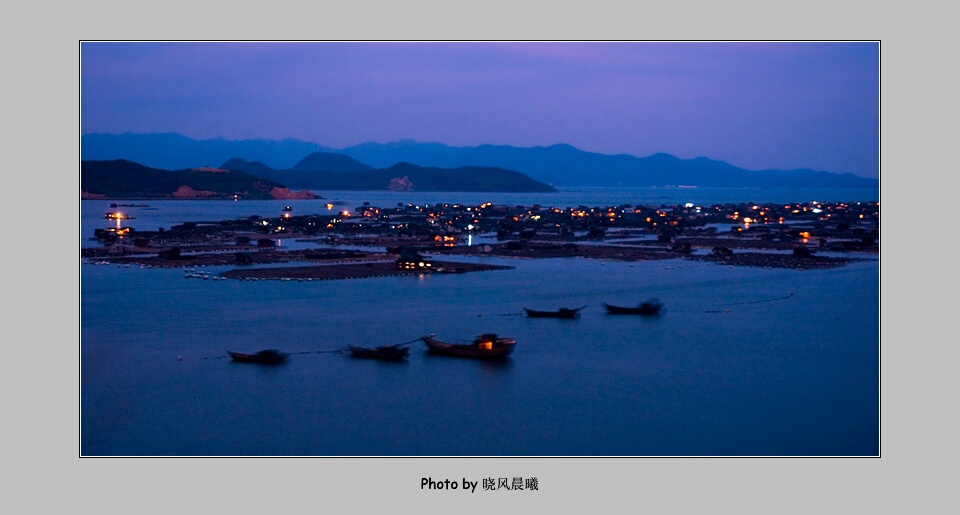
(745,362)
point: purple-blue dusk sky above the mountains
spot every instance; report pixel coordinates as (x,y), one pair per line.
(755,105)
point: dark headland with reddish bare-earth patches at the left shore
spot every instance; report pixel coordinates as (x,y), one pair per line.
(125,179)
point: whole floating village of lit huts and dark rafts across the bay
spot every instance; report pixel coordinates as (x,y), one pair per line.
(414,239)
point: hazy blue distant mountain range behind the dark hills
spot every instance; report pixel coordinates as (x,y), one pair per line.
(557,165)
